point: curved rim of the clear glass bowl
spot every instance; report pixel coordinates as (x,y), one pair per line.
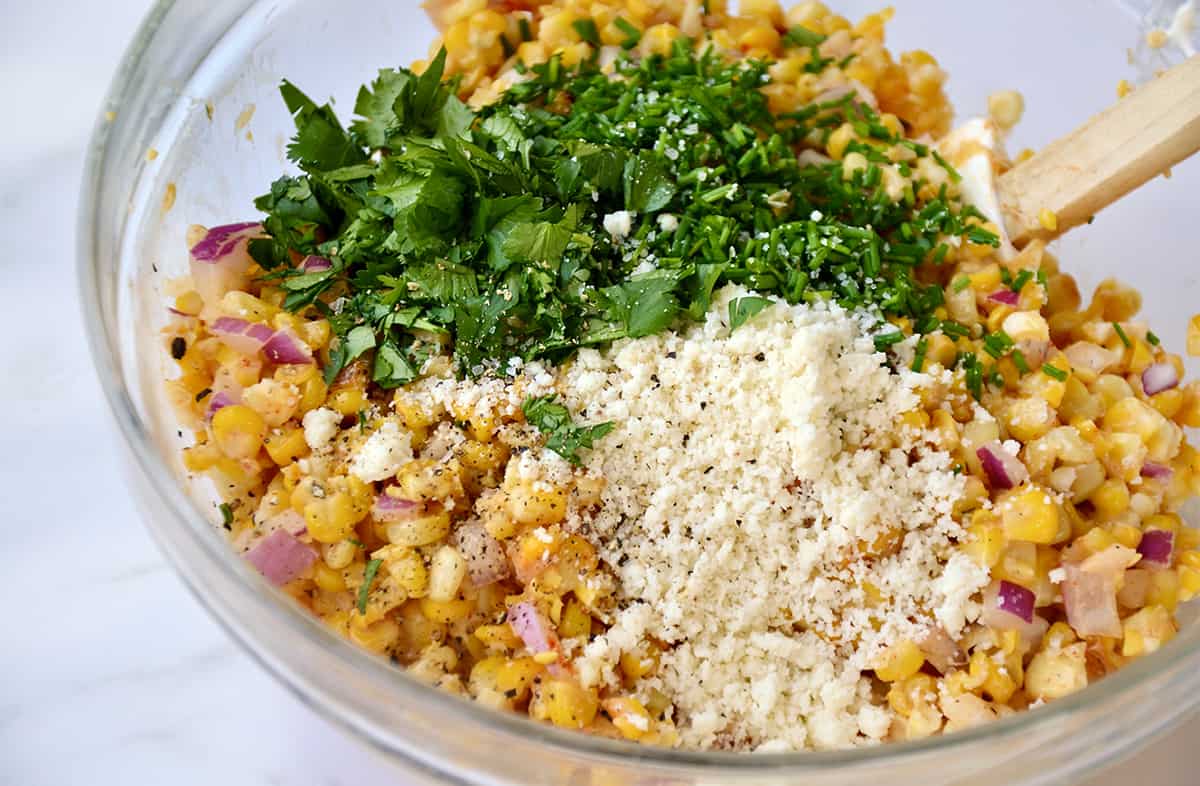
(1174,663)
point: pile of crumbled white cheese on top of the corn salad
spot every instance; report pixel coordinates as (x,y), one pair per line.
(745,472)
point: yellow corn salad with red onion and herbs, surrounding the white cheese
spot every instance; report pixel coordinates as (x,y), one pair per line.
(373,373)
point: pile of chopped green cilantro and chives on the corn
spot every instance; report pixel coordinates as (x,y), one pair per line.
(485,231)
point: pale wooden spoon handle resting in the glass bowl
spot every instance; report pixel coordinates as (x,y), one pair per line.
(1141,137)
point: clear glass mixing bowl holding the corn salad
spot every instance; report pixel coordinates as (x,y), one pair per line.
(199,88)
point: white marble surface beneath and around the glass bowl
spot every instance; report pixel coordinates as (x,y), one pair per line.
(110,671)
